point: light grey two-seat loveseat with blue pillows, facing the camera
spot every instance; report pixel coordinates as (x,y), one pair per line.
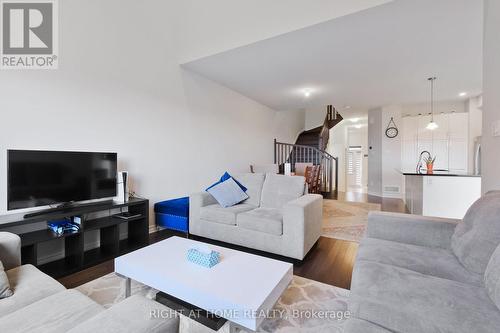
(277,218)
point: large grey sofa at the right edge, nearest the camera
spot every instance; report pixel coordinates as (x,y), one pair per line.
(421,274)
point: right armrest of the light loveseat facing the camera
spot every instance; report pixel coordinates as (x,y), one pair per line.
(302,220)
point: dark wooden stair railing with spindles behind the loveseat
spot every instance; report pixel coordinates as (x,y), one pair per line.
(292,153)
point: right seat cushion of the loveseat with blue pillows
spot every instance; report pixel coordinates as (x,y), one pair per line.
(268,220)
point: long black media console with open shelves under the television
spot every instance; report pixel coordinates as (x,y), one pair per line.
(76,258)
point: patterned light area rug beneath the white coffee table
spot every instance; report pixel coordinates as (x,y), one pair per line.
(296,311)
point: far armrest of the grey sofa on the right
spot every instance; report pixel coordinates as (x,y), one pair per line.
(411,229)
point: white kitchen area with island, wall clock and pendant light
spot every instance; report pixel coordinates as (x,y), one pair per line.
(453,142)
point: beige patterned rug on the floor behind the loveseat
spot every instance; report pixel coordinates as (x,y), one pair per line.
(346,220)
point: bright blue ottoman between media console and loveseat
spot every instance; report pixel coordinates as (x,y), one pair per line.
(173,214)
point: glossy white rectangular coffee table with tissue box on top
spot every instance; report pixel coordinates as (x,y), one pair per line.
(240,288)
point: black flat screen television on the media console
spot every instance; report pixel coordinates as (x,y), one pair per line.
(39,178)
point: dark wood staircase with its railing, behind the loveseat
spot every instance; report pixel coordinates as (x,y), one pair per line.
(310,147)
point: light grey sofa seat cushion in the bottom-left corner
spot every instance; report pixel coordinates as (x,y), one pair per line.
(54,314)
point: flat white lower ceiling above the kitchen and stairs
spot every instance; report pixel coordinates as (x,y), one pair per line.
(376,57)
